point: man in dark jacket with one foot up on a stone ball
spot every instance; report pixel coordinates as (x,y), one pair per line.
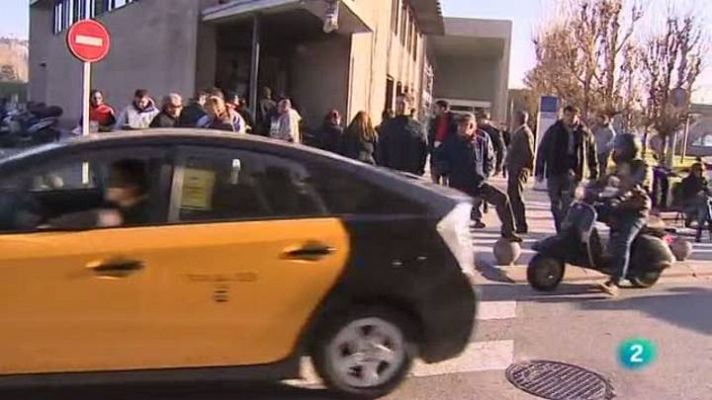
(467,159)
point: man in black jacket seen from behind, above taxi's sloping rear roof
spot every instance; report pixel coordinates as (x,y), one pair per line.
(403,145)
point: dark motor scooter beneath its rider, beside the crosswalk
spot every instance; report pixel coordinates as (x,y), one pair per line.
(579,243)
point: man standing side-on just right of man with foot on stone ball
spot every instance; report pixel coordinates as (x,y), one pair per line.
(520,163)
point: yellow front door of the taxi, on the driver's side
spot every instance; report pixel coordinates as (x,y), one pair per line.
(71,299)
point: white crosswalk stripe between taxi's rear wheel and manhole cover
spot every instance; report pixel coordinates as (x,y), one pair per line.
(477,357)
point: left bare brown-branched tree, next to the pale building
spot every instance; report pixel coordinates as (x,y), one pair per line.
(584,58)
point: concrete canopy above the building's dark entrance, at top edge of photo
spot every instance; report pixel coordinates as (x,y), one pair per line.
(349,20)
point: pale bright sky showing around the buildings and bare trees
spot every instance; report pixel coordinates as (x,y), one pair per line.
(527,16)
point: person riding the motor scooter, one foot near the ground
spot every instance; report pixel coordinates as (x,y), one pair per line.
(628,208)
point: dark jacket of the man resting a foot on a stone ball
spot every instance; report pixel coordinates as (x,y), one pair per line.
(467,163)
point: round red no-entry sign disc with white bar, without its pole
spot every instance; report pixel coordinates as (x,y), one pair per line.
(88,40)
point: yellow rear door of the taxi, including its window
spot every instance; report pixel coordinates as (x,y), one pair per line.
(251,258)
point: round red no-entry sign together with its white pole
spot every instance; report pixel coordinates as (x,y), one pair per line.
(89,41)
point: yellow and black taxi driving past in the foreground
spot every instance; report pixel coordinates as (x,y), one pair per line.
(181,255)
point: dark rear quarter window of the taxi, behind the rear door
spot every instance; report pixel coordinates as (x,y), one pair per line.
(346,193)
